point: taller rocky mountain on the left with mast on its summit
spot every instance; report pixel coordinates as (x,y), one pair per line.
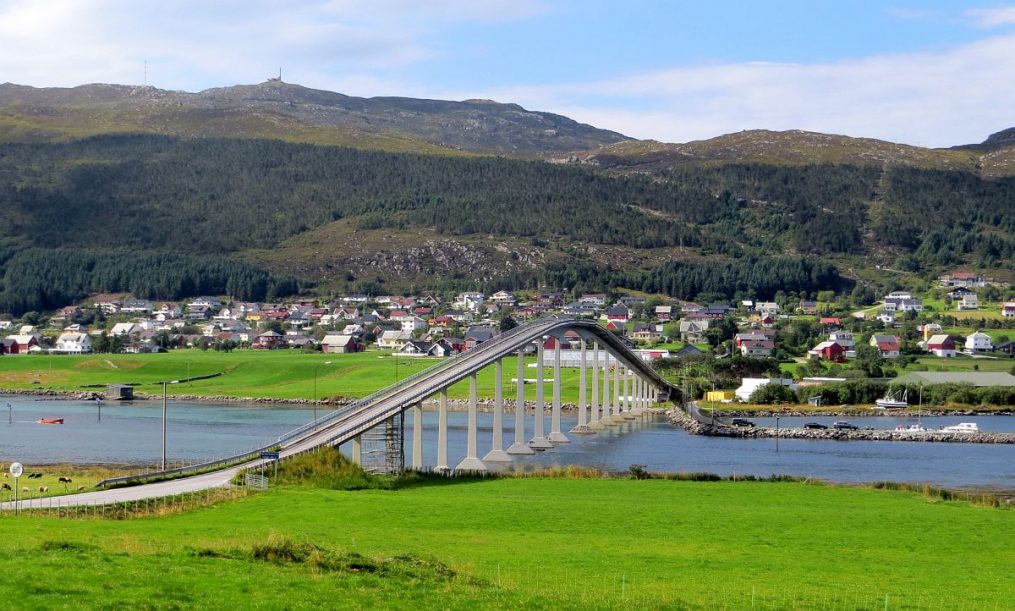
(478,126)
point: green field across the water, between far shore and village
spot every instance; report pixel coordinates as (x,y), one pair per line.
(262,374)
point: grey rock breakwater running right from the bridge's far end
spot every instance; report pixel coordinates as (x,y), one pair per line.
(686,422)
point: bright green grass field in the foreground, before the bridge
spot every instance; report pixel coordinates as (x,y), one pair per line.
(531,544)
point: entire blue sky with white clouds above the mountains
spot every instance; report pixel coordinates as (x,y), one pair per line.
(932,74)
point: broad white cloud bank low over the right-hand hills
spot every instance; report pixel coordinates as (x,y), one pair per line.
(942,99)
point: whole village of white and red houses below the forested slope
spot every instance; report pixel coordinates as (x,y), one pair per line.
(429,325)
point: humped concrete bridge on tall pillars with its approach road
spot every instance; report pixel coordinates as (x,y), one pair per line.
(616,385)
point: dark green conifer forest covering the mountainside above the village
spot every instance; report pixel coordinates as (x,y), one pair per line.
(165,218)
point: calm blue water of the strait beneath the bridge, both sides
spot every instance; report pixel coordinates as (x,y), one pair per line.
(131,434)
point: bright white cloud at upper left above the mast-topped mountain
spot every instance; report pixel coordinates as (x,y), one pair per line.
(188,42)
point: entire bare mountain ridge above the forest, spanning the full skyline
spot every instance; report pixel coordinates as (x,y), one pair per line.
(279,110)
